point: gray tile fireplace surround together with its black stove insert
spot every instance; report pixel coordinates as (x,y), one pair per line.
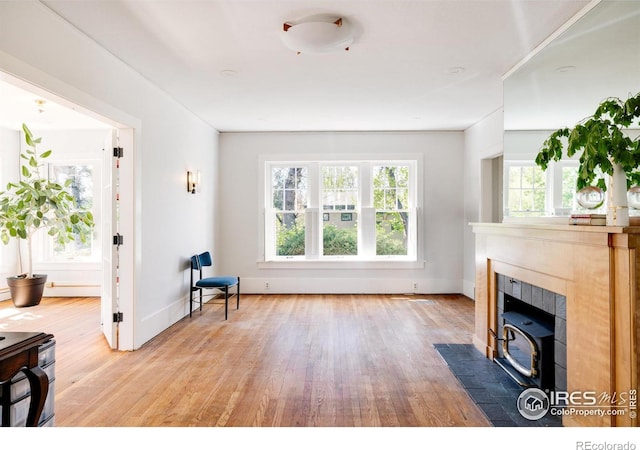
(531,334)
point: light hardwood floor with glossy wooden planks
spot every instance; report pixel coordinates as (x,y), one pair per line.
(281,360)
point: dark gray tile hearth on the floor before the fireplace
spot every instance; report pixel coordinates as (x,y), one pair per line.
(489,386)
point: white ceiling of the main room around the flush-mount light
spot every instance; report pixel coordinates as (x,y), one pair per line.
(414,65)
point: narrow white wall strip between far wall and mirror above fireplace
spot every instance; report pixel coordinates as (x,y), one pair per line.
(483,140)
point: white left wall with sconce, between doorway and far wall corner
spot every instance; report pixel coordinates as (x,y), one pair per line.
(170,224)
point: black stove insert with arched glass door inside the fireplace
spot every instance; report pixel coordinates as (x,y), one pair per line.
(526,339)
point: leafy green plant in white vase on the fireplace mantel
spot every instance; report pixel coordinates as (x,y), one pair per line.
(605,149)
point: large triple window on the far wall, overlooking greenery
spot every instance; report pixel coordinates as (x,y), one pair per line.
(340,210)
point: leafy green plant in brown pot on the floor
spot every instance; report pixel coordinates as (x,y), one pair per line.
(36,203)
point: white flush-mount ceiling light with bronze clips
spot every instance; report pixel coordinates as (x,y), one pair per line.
(318,34)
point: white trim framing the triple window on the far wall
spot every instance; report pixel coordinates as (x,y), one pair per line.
(311,261)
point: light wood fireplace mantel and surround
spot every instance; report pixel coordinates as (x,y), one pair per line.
(596,268)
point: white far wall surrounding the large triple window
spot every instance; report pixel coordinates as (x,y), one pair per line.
(241,208)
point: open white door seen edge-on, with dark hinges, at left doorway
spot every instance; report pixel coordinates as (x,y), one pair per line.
(109,294)
